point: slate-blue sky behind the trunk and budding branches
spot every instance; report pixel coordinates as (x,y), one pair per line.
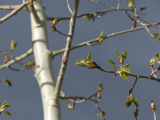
(25,96)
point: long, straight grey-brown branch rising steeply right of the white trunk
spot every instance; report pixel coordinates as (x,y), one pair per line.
(66,52)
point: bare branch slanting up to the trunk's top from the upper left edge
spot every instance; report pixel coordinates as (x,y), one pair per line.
(15,11)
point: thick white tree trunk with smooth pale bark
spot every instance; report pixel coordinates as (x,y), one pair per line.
(43,73)
